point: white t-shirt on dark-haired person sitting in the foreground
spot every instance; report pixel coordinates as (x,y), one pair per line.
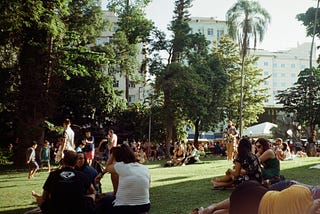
(134,184)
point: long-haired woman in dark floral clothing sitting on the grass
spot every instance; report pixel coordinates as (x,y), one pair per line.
(247,167)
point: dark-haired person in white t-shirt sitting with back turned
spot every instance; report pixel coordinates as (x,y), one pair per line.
(131,183)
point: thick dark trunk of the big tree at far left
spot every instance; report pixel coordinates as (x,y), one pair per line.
(32,106)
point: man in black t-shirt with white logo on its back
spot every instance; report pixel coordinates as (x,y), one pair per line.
(67,190)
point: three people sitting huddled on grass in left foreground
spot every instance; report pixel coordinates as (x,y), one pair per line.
(75,187)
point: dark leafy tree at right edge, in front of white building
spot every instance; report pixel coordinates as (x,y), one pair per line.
(303,99)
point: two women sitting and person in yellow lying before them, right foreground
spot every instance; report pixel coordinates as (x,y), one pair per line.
(258,187)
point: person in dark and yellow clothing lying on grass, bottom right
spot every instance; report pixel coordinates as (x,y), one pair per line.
(251,197)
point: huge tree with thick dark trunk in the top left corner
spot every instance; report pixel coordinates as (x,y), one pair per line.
(44,38)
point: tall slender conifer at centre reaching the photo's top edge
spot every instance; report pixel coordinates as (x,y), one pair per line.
(165,73)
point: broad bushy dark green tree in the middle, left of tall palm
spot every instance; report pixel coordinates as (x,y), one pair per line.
(201,82)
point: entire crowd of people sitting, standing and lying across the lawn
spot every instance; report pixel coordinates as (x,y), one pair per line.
(75,186)
